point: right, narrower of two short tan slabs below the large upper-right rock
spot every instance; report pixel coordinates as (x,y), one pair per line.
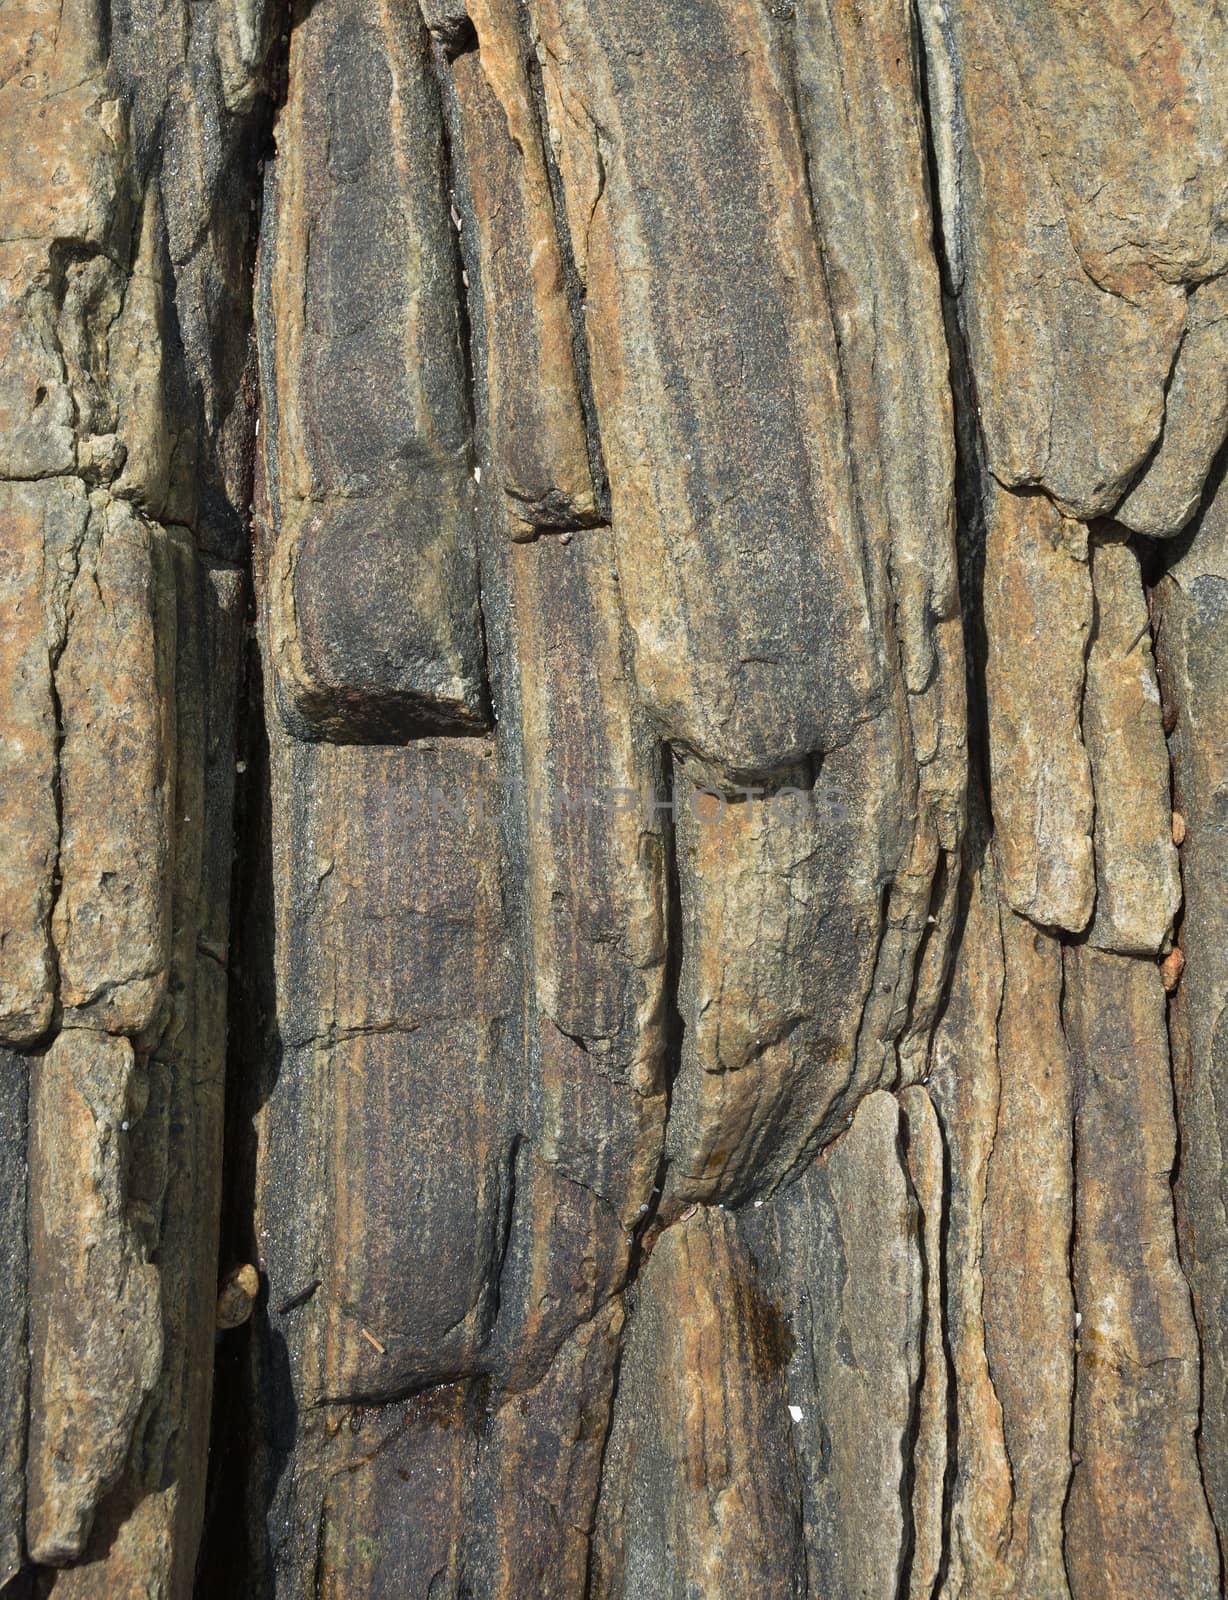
(1138,884)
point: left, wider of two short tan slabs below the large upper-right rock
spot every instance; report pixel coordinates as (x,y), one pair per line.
(1039,617)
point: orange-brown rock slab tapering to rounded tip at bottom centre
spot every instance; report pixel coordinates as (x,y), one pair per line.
(700,1486)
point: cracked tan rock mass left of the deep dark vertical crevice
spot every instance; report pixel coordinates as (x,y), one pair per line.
(126,476)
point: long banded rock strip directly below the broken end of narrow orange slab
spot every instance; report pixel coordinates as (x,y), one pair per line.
(584,806)
